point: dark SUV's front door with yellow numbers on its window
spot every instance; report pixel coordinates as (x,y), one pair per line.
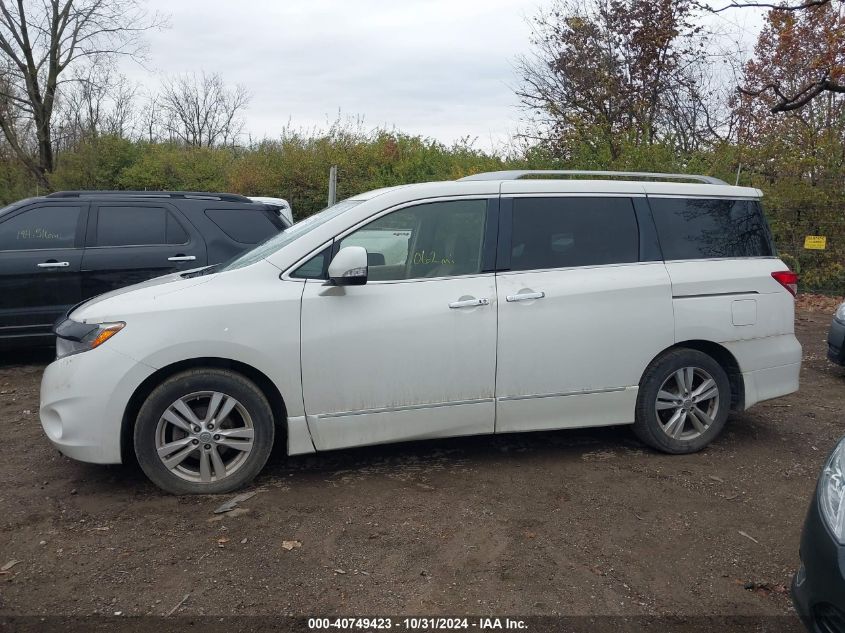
(40,256)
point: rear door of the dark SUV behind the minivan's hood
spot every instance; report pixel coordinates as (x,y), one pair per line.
(129,243)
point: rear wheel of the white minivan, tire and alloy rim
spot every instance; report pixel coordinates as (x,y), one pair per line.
(682,424)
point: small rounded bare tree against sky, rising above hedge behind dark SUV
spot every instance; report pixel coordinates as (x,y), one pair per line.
(201,110)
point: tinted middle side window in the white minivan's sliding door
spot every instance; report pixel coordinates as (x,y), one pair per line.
(564,232)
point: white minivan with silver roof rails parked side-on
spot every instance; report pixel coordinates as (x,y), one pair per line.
(503,302)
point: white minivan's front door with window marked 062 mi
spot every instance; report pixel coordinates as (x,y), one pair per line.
(411,354)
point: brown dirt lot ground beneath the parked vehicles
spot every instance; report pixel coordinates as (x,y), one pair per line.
(575,522)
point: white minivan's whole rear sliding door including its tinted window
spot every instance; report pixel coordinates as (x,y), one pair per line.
(580,316)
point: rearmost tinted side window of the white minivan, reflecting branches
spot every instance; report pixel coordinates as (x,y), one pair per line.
(706,228)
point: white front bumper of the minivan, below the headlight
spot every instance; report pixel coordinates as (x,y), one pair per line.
(83,400)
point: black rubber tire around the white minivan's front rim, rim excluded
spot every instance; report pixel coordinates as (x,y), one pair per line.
(179,385)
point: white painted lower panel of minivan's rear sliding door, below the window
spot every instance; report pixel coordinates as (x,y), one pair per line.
(570,342)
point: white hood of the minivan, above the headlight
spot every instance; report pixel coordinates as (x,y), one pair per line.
(111,305)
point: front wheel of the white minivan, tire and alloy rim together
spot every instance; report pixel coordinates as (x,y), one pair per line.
(202,453)
